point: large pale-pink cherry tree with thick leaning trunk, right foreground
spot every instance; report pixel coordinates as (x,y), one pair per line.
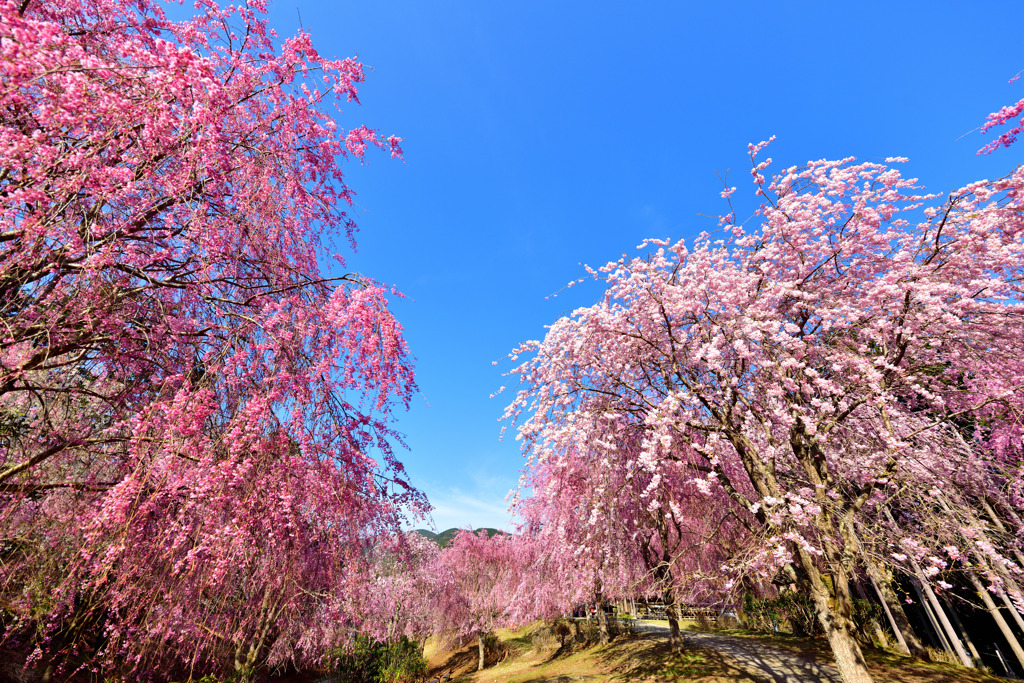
(815,368)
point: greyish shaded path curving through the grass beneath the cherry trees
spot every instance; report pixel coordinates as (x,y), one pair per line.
(760,661)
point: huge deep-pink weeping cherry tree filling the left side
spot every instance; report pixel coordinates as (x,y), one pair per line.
(196,414)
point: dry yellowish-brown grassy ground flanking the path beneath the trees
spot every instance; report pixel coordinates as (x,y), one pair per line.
(637,660)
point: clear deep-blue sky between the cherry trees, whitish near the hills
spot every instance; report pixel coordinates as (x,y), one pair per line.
(540,136)
